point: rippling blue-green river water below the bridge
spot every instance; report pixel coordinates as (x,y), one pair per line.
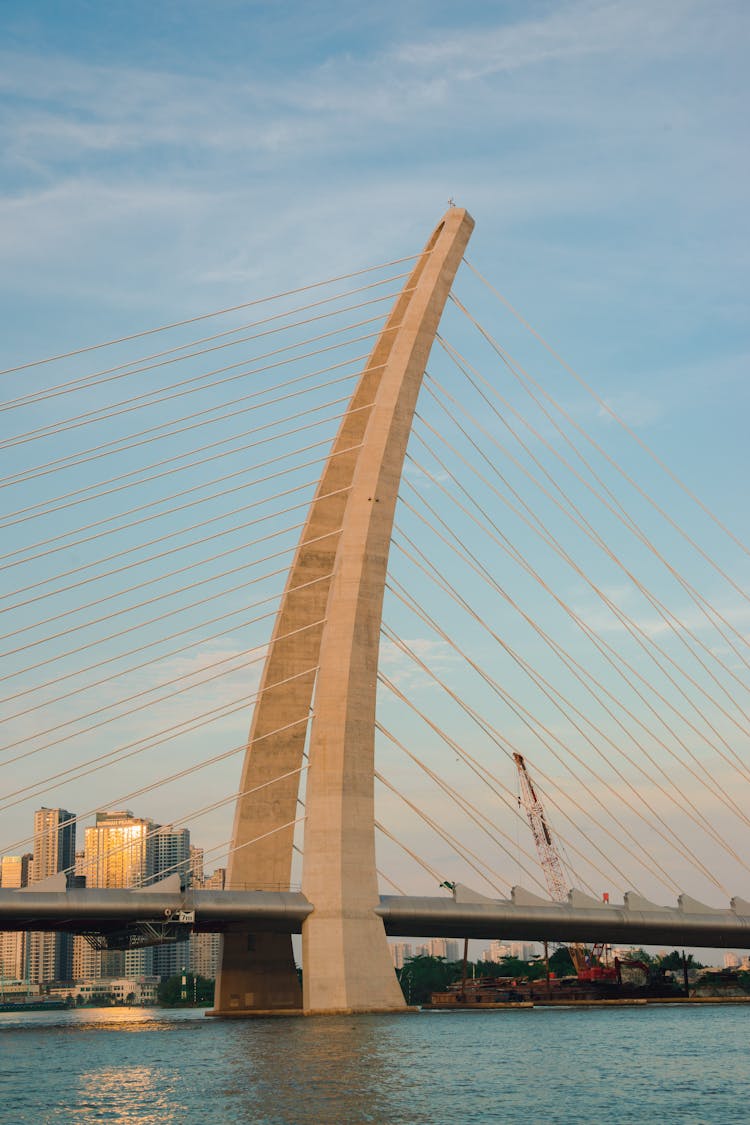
(659,1065)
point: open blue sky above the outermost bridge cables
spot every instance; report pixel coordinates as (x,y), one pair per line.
(161,161)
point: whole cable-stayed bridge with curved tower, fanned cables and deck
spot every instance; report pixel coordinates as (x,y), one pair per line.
(205,523)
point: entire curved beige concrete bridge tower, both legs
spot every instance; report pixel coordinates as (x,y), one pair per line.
(322,670)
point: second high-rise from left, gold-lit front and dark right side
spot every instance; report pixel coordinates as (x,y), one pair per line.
(51,956)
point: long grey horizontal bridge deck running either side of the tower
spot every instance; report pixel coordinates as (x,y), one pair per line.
(632,922)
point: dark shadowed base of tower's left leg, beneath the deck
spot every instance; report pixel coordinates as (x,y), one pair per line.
(258,975)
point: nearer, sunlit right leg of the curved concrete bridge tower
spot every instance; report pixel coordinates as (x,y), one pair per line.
(346,957)
